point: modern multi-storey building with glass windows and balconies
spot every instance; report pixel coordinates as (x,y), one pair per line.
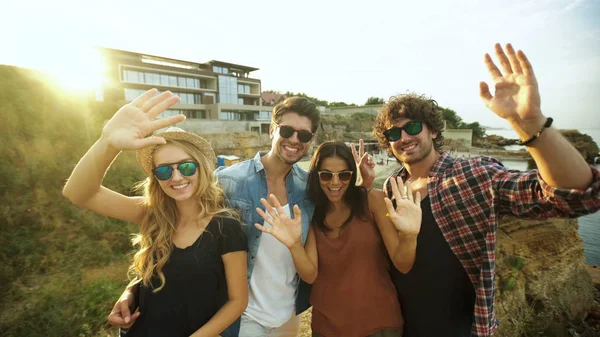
(216,96)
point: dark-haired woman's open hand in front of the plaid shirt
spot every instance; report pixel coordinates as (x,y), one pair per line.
(407,215)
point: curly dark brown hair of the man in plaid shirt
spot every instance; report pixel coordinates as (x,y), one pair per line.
(414,107)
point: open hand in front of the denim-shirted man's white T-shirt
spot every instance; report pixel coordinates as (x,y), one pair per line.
(288,231)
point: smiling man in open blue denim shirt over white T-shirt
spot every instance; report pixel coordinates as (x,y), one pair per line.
(277,295)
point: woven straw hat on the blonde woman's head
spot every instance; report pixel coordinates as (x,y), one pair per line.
(144,155)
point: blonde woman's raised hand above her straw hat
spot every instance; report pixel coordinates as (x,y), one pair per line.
(127,129)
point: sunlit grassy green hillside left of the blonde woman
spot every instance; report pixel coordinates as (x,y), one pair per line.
(61,267)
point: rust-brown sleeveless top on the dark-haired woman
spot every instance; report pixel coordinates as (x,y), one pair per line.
(353,295)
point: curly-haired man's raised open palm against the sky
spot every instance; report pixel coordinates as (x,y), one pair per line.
(517,96)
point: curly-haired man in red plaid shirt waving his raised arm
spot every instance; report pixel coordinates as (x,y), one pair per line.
(450,289)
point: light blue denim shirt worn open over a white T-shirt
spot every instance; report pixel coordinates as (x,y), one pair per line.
(244,184)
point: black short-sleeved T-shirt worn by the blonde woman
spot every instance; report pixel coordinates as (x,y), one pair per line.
(195,287)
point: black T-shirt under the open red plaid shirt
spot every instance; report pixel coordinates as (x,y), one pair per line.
(437,296)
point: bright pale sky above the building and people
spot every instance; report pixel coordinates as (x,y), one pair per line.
(336,50)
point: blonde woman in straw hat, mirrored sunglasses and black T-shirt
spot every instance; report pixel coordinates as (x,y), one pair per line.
(191,262)
